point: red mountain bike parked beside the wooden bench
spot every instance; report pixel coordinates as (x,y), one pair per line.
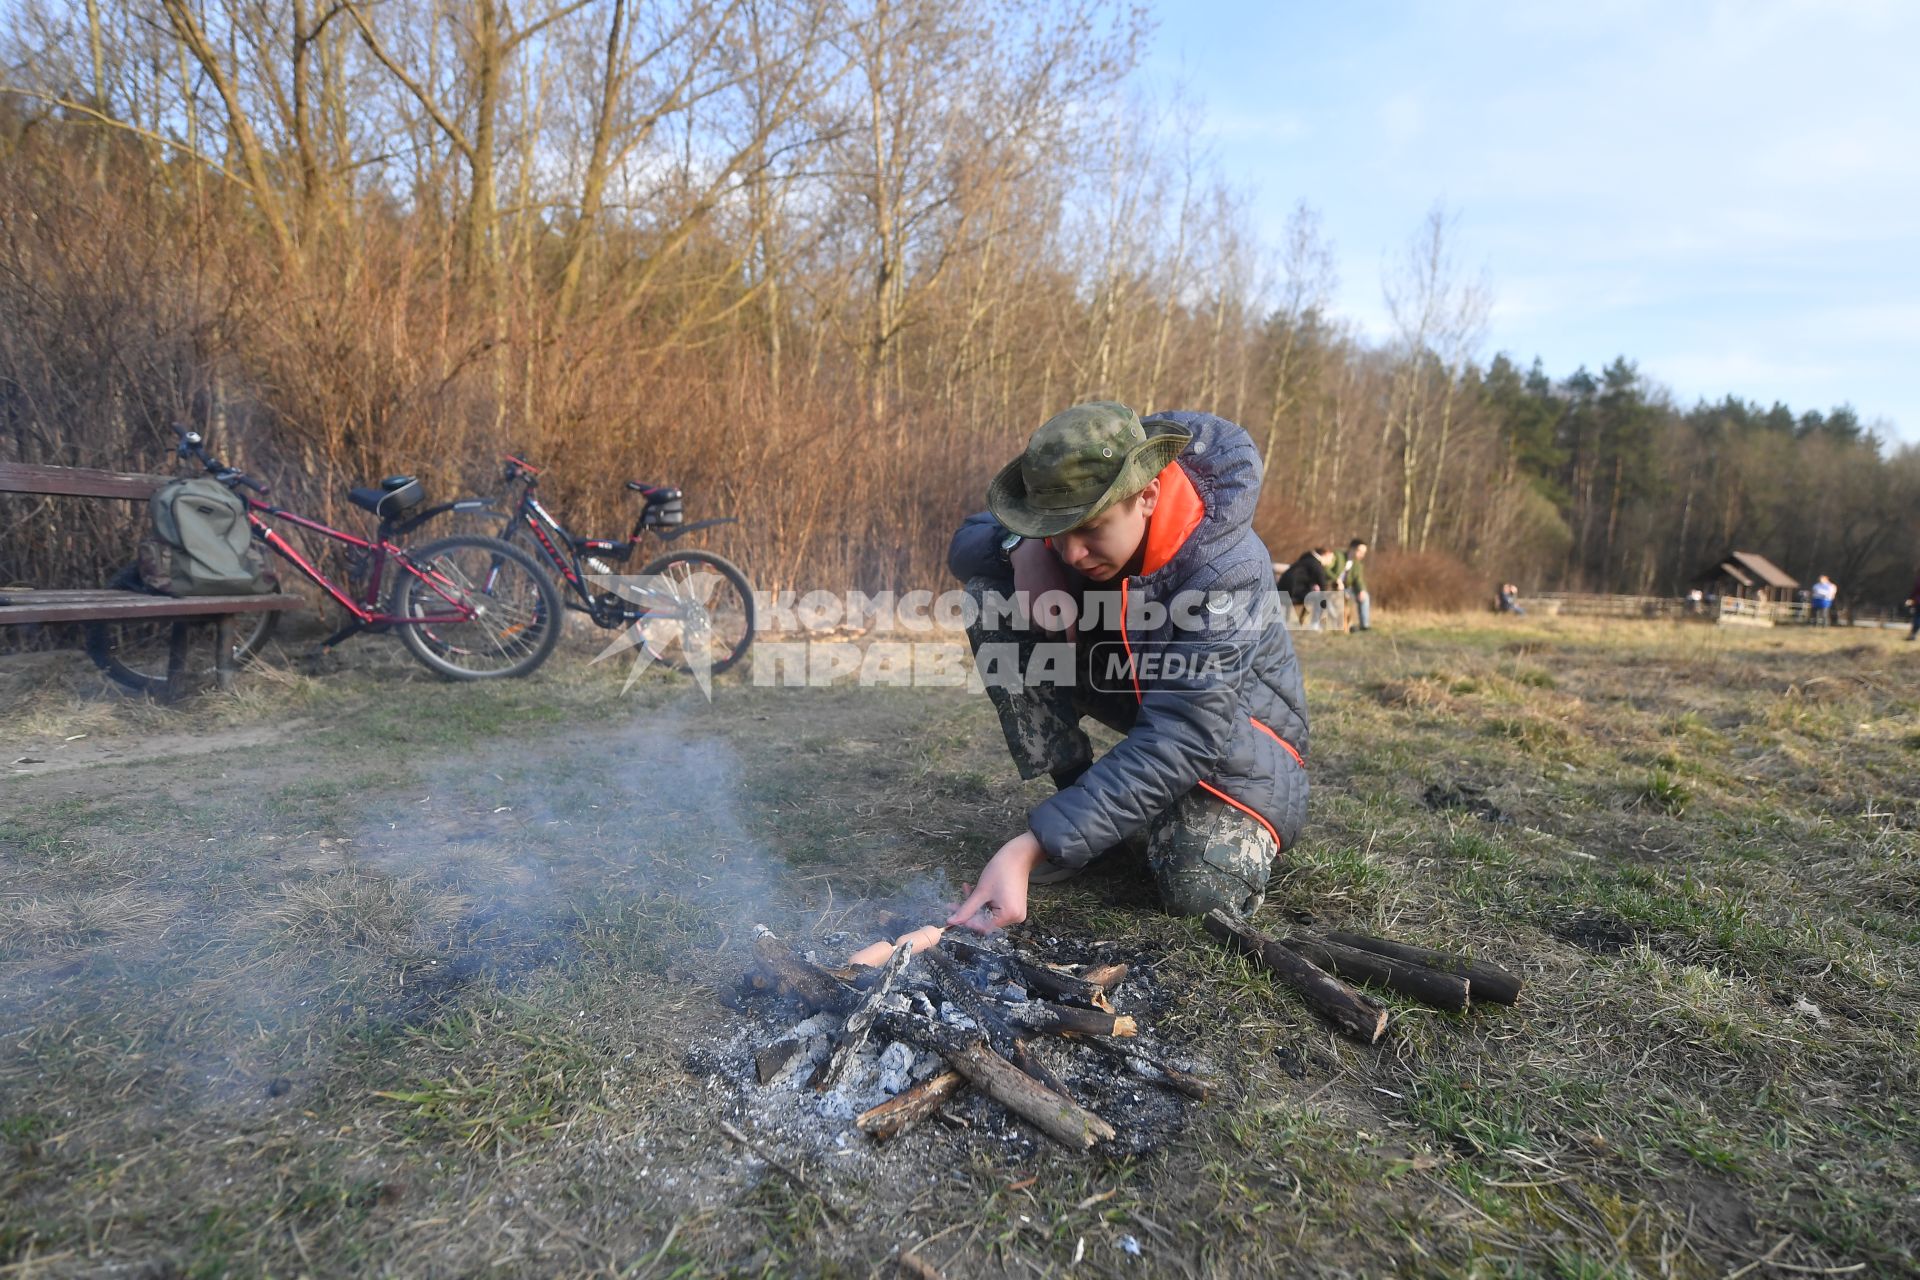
(468,607)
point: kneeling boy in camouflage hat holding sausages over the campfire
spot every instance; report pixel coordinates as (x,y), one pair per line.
(1134,546)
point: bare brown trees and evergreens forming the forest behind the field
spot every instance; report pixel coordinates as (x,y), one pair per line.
(825,264)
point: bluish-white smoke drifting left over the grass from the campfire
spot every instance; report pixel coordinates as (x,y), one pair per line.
(623,868)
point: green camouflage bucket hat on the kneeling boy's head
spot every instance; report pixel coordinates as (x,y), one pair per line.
(1078,465)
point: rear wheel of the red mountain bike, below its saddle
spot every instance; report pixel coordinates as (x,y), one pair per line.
(516,609)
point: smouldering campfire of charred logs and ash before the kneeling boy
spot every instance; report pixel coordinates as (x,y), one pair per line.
(934,1016)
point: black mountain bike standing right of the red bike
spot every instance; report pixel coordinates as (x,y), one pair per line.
(688,609)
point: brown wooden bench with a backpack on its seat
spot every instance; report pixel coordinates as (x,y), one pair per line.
(107,605)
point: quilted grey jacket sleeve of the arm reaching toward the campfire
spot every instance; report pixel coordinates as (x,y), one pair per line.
(1180,736)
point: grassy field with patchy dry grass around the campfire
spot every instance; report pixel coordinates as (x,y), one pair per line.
(427,982)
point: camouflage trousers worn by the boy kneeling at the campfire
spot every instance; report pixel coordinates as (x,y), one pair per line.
(1203,851)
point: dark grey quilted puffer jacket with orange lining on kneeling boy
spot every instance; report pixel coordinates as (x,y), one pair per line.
(1220,696)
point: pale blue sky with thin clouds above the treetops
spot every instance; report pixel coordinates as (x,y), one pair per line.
(1729,195)
